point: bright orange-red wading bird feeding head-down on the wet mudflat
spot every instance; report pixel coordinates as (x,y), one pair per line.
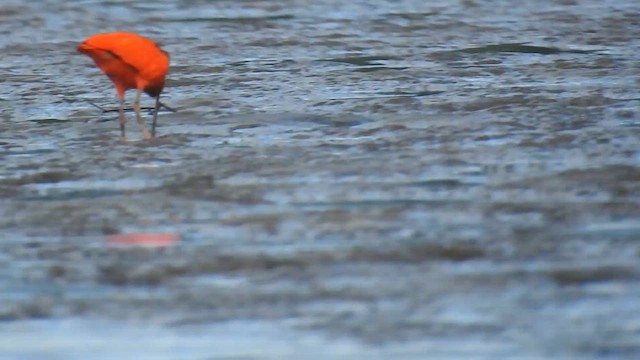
(131,61)
